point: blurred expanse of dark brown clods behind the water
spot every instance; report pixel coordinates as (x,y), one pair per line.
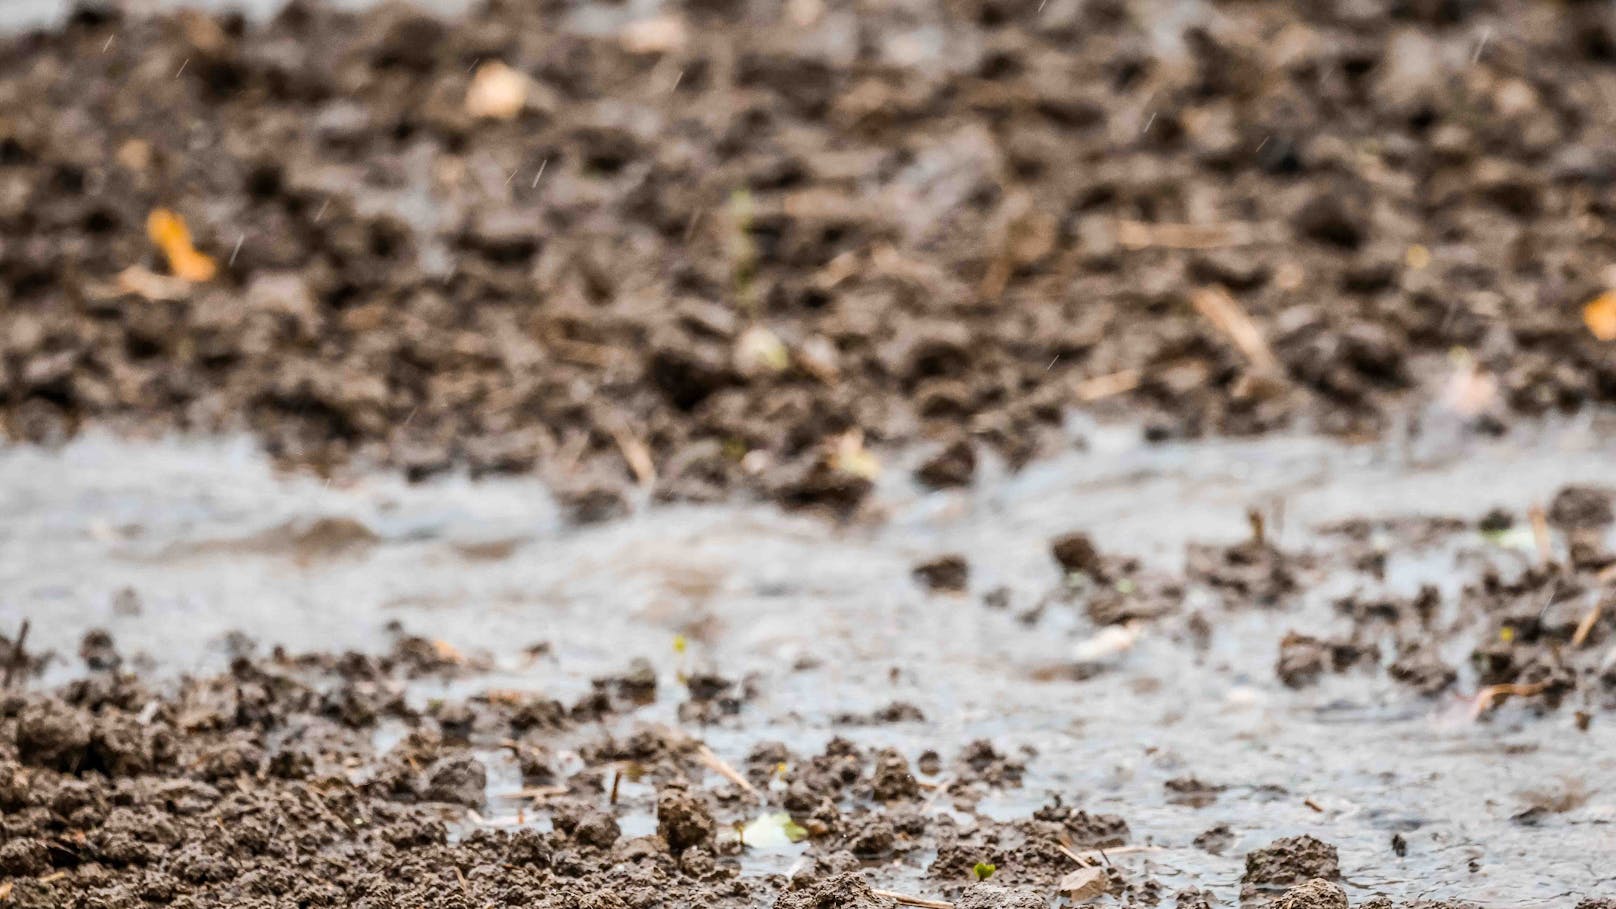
(755,250)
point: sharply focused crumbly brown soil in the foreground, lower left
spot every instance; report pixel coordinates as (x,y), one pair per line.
(264,787)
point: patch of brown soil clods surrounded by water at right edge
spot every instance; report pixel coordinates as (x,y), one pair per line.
(1533,625)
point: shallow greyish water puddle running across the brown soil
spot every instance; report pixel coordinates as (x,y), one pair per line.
(174,546)
